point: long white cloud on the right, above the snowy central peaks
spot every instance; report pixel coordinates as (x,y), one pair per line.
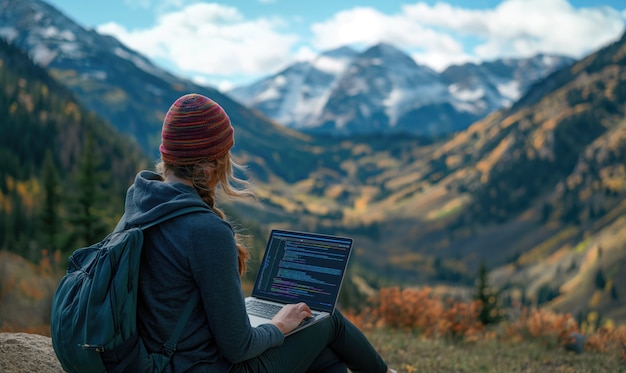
(434,34)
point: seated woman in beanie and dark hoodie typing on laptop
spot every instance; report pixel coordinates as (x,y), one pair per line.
(199,254)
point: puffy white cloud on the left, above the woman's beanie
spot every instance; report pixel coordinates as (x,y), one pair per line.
(211,39)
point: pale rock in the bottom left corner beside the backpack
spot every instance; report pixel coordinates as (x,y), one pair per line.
(27,353)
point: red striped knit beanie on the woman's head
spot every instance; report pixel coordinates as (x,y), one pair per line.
(195,128)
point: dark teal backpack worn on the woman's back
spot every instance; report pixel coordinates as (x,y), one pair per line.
(94,309)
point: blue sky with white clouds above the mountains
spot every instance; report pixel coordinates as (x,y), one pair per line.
(233,43)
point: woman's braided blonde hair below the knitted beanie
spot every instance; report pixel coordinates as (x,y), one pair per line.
(215,176)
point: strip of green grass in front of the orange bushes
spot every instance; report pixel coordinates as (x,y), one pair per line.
(405,351)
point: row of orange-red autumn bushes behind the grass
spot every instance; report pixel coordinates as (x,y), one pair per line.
(431,316)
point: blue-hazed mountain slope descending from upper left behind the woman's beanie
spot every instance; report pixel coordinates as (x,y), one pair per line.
(126,89)
